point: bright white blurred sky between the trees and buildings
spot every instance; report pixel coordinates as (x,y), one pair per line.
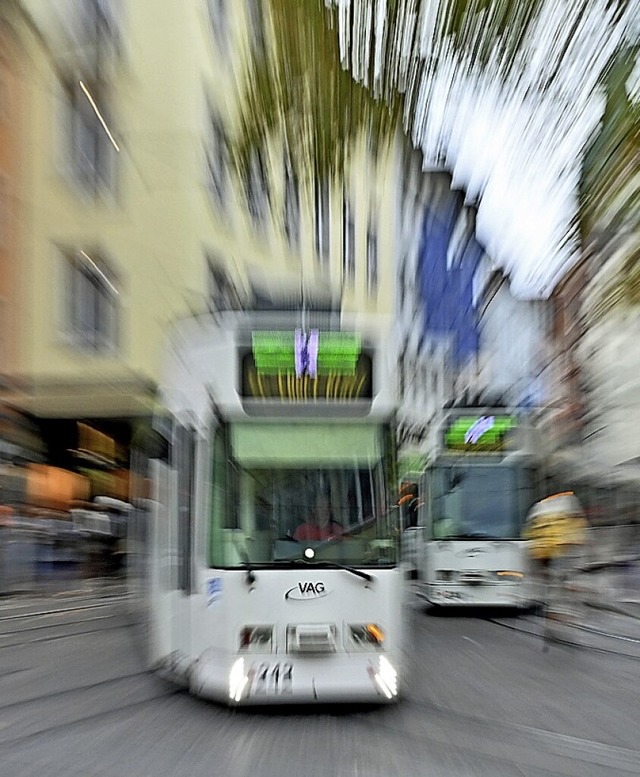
(514,147)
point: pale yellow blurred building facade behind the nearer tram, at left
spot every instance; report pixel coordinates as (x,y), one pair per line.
(134,216)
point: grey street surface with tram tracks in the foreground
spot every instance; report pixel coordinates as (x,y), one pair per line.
(482,699)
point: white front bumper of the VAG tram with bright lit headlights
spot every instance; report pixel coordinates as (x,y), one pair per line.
(272,679)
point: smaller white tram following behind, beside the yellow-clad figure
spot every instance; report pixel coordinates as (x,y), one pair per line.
(477,493)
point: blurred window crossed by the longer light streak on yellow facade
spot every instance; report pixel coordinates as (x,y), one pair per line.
(91,153)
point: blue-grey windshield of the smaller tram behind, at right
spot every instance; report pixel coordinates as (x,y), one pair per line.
(479,501)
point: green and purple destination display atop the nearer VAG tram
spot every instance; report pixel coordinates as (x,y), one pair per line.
(300,366)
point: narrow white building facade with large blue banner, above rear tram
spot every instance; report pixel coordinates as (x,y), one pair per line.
(437,316)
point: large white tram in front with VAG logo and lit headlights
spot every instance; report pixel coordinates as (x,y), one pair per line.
(254,596)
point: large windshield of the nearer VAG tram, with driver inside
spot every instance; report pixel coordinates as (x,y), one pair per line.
(286,494)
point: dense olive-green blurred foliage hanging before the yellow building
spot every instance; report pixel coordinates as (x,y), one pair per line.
(297,89)
